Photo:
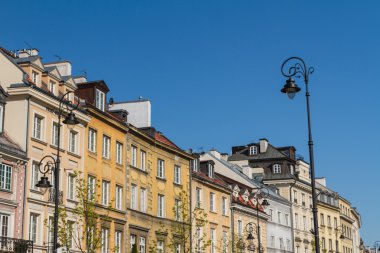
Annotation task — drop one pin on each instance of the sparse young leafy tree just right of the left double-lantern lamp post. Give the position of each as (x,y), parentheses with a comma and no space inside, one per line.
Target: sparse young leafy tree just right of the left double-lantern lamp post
(79,228)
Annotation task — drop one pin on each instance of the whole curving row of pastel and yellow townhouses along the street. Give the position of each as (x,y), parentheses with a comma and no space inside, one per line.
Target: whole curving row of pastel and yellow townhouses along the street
(139,176)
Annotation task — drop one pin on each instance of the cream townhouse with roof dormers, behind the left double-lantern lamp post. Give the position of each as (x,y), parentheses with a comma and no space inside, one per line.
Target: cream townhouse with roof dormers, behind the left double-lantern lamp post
(34,96)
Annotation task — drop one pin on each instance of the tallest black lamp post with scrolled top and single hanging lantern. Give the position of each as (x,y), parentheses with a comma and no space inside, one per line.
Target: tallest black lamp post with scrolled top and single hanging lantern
(298,68)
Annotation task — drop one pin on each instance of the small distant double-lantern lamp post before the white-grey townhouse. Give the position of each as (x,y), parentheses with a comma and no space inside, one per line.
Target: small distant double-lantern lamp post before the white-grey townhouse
(262,193)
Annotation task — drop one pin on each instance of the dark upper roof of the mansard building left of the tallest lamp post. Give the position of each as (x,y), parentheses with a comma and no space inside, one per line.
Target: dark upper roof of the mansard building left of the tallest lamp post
(271,153)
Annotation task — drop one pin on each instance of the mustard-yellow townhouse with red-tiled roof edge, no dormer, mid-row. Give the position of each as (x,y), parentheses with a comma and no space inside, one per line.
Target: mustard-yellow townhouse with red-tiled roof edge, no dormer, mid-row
(158,171)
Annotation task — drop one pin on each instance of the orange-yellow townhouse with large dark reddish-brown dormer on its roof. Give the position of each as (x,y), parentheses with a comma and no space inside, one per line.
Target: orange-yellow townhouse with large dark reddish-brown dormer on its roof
(105,160)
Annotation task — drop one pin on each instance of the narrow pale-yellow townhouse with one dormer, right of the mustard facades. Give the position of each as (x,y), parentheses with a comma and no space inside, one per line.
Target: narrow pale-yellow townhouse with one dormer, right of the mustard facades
(212,195)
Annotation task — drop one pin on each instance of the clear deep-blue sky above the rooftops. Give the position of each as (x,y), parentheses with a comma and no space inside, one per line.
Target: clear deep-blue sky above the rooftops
(212,72)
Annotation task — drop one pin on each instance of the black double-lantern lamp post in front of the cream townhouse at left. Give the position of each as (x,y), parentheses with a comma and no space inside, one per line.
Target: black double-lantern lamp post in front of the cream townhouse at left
(53,164)
